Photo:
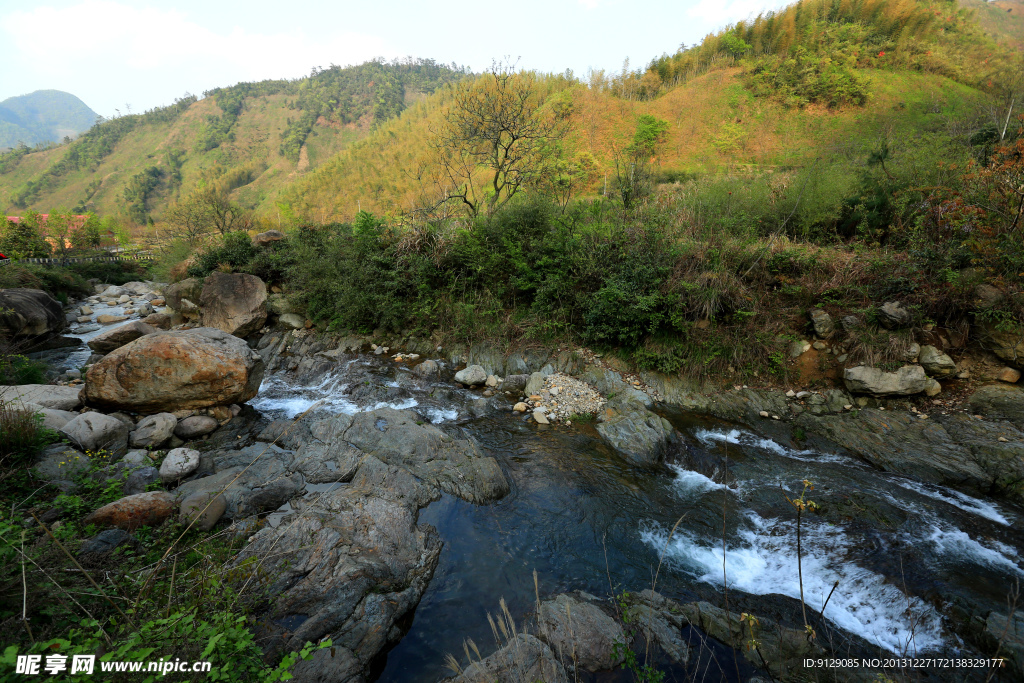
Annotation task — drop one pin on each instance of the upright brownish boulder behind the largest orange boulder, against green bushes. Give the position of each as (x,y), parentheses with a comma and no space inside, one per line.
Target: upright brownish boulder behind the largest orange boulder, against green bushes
(234,303)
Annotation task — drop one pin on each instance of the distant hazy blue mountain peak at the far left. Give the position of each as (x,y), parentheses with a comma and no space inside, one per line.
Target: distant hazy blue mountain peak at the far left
(45,116)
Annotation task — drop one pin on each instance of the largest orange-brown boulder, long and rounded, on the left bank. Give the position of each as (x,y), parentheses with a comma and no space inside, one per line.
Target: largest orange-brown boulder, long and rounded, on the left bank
(165,372)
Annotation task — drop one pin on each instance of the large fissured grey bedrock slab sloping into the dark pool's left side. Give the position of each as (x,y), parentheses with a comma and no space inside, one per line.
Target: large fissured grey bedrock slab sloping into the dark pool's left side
(368,569)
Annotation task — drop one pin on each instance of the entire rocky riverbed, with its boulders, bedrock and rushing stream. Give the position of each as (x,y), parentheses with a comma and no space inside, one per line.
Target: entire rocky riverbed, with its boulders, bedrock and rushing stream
(432,498)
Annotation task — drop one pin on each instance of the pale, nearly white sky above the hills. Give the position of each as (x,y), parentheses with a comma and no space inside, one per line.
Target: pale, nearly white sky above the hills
(132,56)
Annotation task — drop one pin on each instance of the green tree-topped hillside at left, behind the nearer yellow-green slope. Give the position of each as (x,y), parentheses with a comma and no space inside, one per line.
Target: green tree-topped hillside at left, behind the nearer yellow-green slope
(254,139)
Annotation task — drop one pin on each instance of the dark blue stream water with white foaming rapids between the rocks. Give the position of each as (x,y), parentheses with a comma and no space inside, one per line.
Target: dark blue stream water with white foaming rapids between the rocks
(901,554)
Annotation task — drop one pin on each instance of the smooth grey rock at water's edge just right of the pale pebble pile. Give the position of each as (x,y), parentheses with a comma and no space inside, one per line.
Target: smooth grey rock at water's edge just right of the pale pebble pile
(635,433)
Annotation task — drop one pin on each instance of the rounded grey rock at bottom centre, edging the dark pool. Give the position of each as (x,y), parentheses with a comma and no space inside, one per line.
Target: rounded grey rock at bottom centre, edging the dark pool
(581,629)
